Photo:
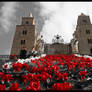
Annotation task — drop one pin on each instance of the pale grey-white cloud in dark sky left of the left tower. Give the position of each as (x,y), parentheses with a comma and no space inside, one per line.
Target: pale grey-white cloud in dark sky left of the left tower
(8,15)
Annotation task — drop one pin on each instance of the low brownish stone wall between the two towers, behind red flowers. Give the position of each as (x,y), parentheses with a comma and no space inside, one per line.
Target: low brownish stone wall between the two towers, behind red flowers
(57,48)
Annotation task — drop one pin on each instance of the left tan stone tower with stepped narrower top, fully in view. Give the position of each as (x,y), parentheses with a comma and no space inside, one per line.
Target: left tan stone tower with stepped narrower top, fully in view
(25,35)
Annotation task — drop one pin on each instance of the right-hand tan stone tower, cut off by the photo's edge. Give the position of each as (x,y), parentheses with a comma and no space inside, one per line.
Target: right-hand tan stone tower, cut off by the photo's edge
(82,37)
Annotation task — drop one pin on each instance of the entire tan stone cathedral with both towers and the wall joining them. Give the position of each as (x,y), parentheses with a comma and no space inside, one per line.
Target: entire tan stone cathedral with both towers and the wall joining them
(26,36)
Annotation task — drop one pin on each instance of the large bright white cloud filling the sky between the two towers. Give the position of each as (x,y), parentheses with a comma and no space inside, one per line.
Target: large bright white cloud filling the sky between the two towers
(61,17)
